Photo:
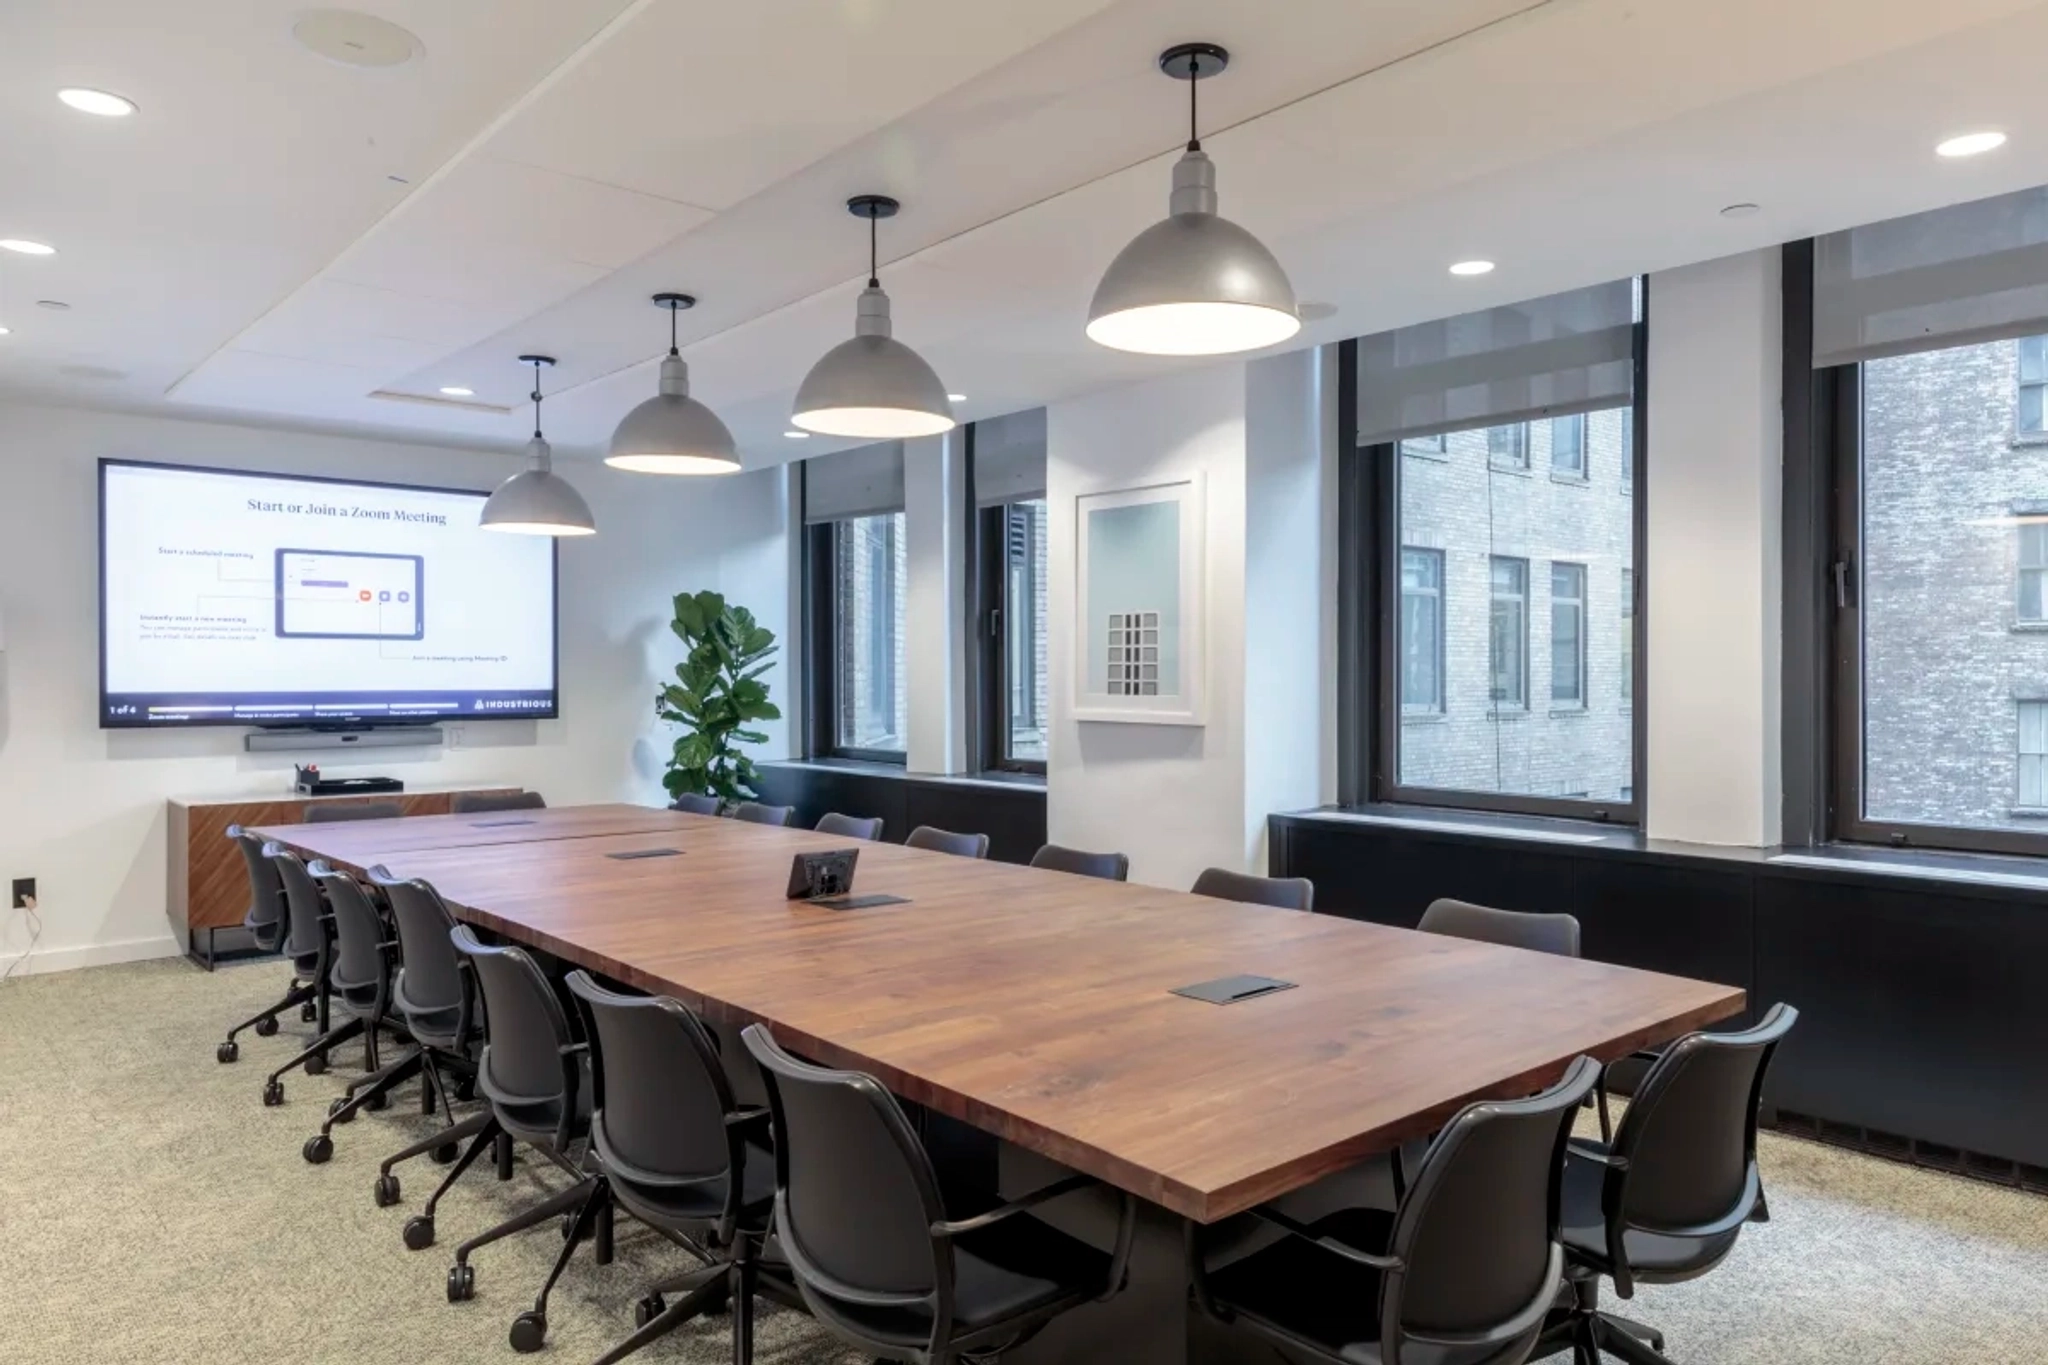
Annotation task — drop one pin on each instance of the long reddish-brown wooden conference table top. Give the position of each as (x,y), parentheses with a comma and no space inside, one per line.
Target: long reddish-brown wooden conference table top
(1037,1006)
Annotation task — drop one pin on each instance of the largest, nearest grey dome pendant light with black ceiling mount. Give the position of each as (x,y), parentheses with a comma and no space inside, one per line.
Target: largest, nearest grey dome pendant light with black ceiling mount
(1193,285)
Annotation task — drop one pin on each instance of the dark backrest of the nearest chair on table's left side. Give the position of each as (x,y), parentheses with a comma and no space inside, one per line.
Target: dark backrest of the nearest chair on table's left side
(855,1190)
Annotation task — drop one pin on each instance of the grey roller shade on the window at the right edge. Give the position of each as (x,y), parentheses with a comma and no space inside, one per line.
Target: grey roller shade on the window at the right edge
(1953,277)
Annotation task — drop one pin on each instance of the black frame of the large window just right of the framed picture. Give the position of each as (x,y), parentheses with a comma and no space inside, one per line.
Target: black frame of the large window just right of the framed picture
(1369,613)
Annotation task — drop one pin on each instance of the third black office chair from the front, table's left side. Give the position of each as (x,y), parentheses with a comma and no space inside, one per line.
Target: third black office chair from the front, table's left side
(534,1077)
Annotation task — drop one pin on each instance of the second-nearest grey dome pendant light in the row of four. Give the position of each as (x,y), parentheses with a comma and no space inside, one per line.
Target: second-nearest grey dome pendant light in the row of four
(873,386)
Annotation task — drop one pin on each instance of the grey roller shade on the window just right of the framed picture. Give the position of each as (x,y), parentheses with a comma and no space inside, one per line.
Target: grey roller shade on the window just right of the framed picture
(1541,359)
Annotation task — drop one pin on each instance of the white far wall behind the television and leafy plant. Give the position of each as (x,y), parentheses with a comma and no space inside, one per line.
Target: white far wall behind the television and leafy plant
(83,809)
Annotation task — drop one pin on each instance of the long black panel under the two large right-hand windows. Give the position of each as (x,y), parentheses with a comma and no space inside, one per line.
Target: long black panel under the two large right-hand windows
(1922,1006)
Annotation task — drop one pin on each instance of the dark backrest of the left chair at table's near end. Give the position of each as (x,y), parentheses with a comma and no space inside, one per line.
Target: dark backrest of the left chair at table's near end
(1478,1233)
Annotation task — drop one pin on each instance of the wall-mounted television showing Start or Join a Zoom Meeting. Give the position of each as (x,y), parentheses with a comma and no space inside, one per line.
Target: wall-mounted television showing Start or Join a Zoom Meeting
(241,599)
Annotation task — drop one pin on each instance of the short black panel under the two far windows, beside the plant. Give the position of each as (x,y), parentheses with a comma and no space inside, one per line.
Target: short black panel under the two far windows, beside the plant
(1009,813)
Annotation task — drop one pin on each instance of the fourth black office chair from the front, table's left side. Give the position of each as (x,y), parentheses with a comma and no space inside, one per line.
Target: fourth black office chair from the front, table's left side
(437,998)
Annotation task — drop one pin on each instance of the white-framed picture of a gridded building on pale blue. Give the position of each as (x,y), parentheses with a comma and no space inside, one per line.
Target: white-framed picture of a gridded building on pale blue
(1140,568)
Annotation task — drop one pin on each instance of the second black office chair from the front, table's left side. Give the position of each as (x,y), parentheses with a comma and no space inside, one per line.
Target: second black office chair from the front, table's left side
(683,1157)
